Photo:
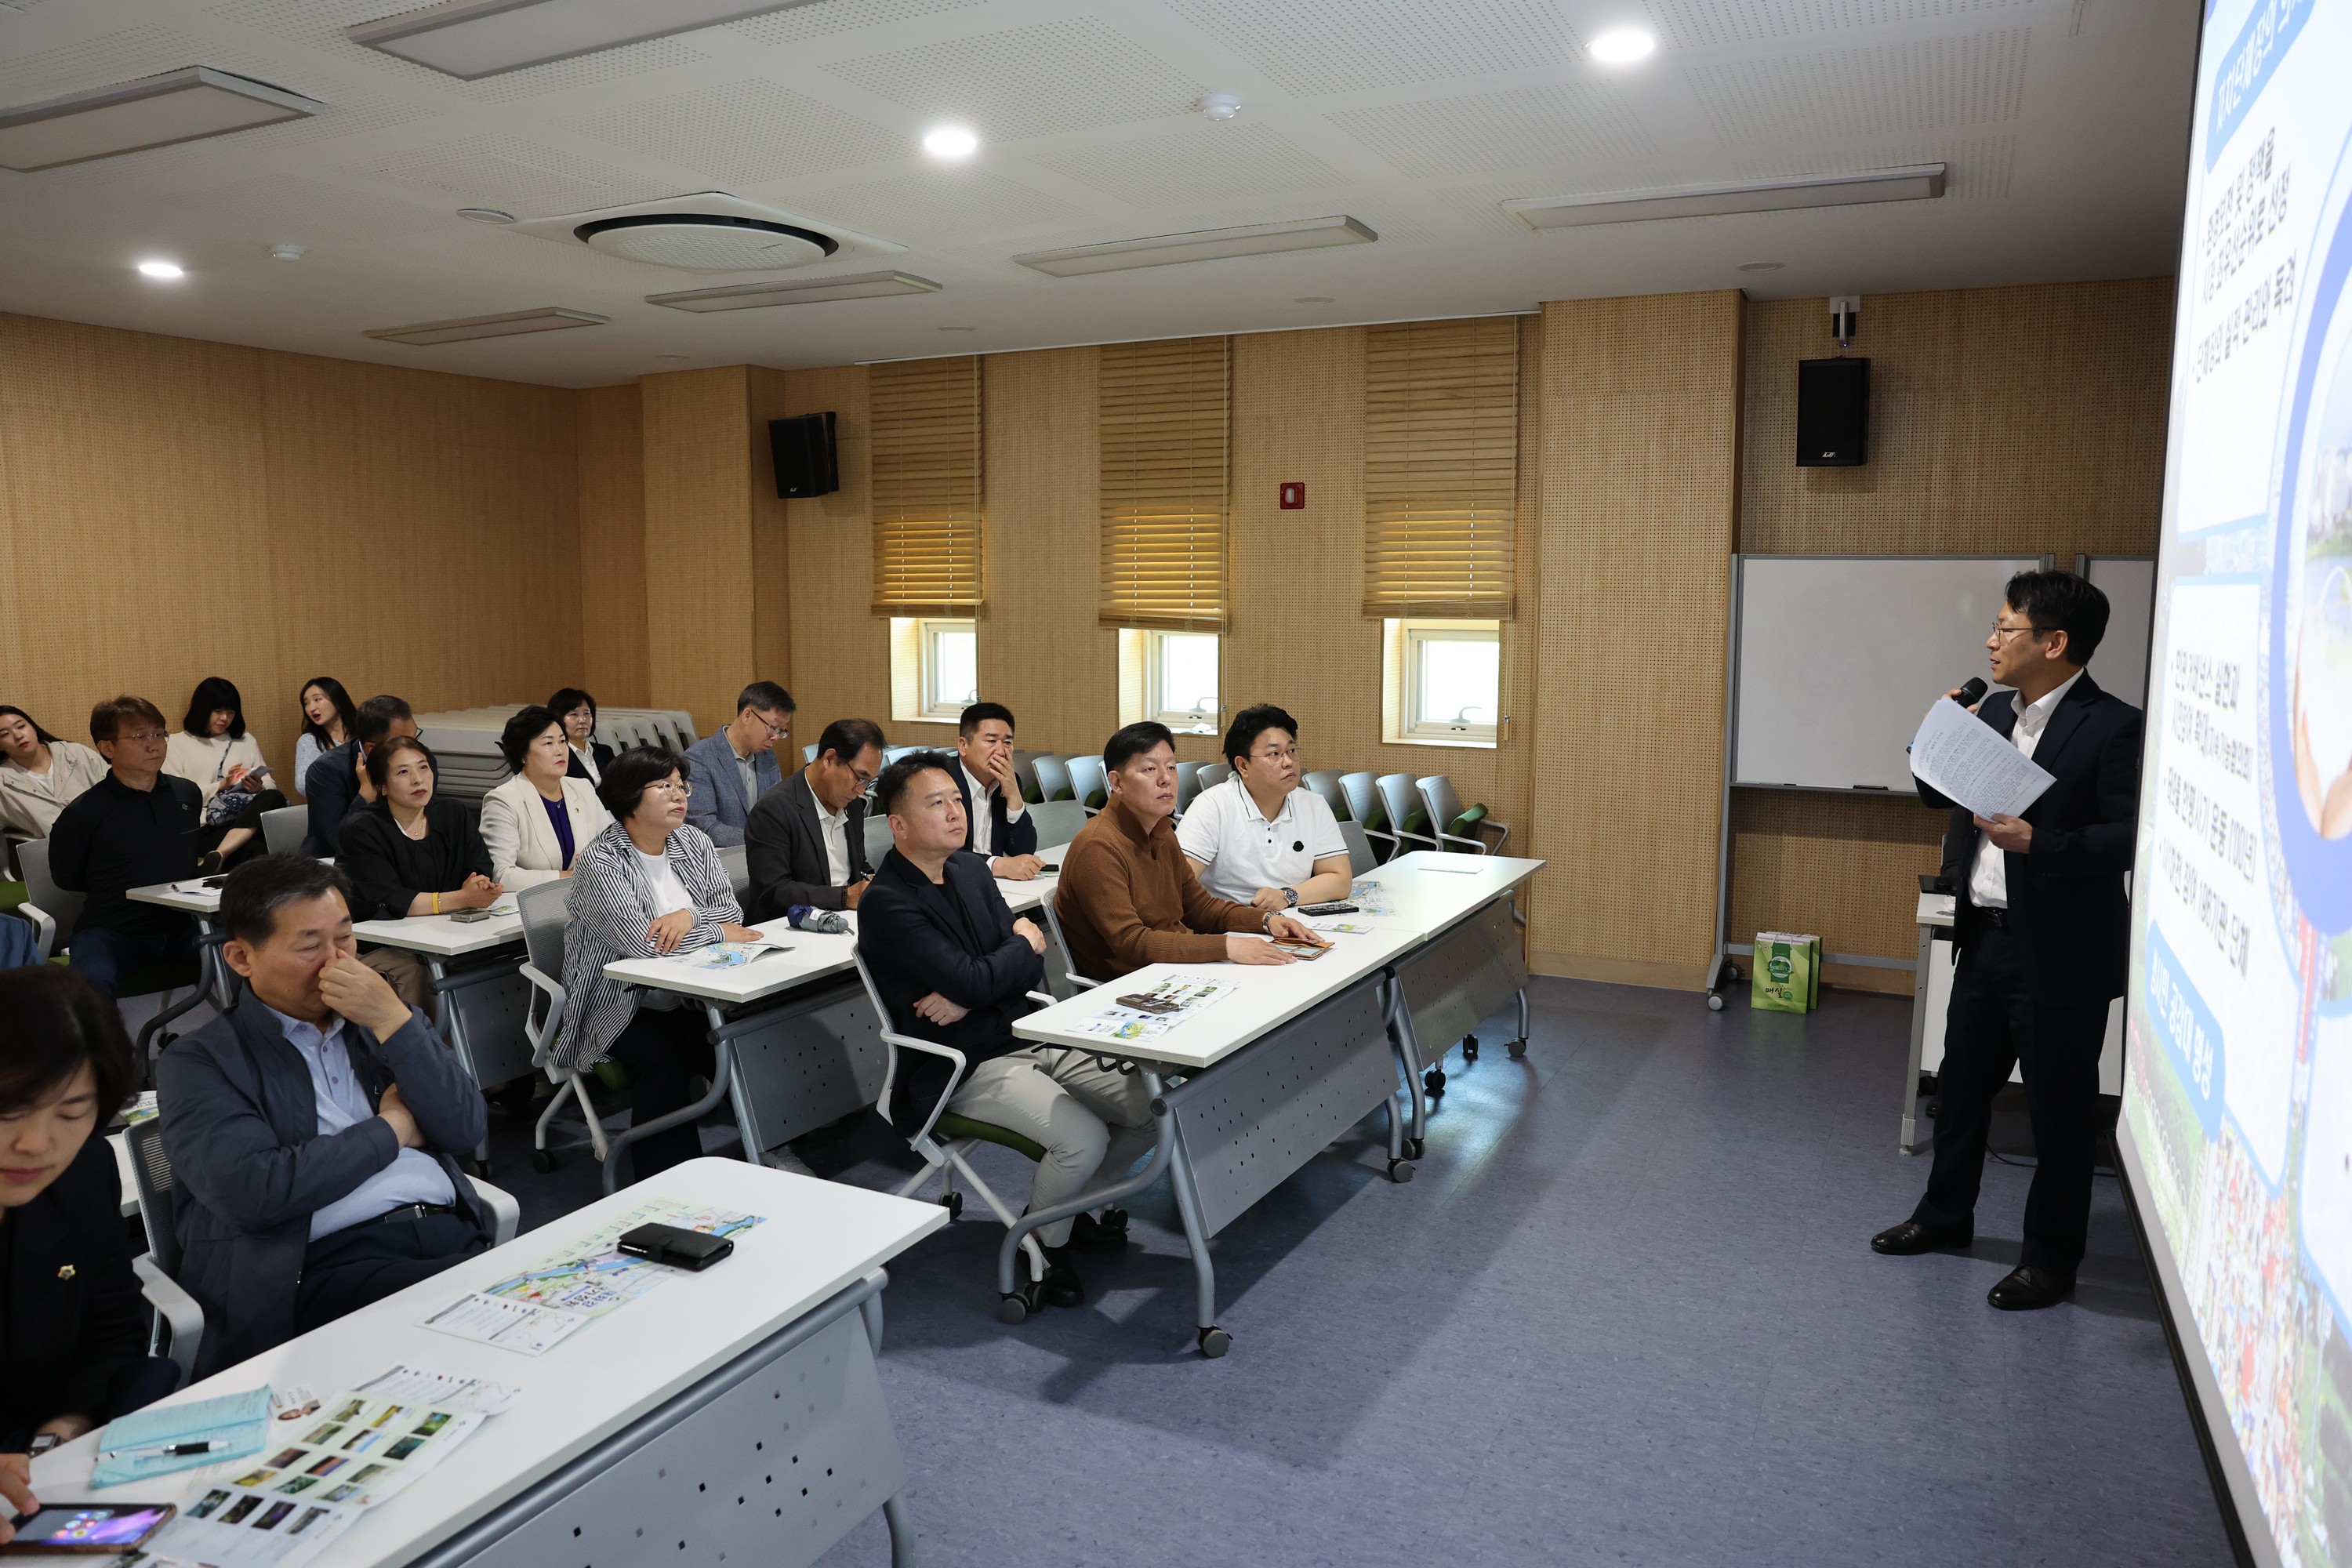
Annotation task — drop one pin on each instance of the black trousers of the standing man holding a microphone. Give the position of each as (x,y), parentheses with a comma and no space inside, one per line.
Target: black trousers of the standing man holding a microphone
(1991,1028)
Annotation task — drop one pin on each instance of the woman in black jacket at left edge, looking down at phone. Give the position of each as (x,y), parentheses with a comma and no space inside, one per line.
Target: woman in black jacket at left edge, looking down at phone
(72,1322)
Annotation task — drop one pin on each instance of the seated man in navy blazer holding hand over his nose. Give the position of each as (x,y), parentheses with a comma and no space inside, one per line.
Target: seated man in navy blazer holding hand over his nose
(314,1130)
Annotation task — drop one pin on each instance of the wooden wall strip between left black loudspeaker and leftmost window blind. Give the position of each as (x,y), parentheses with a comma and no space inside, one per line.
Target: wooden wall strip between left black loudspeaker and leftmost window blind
(841,650)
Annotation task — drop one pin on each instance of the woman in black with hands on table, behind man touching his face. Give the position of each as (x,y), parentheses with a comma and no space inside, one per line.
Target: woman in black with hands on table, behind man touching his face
(413,855)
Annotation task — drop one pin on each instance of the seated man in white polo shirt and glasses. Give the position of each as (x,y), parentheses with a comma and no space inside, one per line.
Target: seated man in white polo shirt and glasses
(1259,838)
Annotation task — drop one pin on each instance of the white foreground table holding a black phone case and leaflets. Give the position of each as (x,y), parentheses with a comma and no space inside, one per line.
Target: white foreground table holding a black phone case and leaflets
(726,1414)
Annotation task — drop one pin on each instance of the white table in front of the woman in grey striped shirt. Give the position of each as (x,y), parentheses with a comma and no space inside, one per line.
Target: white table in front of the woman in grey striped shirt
(791,1052)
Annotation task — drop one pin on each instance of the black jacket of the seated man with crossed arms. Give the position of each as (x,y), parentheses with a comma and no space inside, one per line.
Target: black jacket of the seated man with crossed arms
(980,963)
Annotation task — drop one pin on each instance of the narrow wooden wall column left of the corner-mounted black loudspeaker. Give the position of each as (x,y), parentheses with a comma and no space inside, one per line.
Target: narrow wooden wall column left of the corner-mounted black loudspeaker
(700,603)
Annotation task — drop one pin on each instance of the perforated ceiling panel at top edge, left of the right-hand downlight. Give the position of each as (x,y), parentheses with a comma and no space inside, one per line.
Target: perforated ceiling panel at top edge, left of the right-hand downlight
(1314,48)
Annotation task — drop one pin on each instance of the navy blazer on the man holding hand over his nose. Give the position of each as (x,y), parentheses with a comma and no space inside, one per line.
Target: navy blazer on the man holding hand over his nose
(241,1127)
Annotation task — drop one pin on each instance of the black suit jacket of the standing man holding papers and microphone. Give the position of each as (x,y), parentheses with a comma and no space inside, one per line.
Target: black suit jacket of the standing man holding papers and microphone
(2066,894)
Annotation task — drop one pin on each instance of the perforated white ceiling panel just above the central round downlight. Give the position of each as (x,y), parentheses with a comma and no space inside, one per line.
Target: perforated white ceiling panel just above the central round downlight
(1057,76)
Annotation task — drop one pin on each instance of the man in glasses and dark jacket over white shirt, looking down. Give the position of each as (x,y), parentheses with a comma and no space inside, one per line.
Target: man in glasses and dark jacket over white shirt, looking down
(808,838)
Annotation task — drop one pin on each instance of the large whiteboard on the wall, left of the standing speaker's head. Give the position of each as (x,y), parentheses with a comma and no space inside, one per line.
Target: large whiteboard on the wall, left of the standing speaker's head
(1836,657)
